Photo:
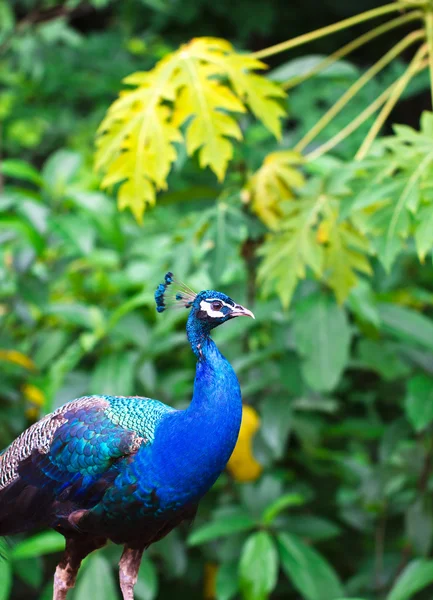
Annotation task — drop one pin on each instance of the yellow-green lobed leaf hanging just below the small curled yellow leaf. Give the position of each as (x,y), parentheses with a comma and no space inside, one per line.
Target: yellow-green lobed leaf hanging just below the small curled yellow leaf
(311,235)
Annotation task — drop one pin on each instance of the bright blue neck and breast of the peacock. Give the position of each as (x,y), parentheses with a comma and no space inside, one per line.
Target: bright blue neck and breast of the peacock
(190,448)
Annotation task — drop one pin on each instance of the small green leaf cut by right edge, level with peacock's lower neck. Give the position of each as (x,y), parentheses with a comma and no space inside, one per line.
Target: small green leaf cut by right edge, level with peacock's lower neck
(419,401)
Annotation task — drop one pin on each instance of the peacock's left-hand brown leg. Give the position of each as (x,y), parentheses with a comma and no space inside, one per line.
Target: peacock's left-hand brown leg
(67,569)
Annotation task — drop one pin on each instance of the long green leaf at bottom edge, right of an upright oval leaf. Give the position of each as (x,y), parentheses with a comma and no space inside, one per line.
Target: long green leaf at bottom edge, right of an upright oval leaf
(309,572)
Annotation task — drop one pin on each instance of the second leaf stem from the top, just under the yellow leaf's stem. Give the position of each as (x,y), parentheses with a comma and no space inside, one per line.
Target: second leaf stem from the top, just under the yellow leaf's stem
(353,45)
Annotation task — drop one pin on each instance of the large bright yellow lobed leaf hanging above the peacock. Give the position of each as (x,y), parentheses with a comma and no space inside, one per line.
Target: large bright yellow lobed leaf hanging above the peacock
(197,90)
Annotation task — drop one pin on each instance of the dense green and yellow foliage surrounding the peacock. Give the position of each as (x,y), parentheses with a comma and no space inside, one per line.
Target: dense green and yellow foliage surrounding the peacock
(296,209)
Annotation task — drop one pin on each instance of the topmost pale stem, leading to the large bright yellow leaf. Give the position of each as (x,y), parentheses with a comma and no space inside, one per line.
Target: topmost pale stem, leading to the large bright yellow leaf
(329,29)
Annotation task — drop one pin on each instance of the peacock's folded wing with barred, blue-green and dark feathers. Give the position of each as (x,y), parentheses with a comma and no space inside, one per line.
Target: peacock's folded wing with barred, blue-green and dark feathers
(62,463)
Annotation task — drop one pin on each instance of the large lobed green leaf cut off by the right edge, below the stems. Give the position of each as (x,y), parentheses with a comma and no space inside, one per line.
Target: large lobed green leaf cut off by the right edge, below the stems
(395,200)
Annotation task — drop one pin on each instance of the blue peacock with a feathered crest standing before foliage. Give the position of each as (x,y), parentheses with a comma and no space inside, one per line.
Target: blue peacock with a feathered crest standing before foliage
(127,468)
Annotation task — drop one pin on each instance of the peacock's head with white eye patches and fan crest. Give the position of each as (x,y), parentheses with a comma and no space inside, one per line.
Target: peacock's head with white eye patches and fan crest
(209,308)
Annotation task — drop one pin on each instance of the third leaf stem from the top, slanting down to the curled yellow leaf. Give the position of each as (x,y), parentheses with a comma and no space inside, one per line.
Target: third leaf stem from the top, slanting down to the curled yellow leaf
(357,86)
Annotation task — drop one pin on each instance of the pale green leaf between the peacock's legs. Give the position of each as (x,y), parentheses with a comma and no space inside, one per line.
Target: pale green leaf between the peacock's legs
(96,580)
